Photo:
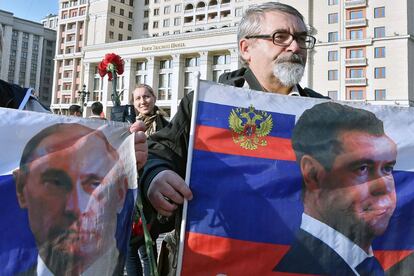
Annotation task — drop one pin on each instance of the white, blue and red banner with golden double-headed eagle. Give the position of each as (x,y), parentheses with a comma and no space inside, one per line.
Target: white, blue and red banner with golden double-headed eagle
(279,190)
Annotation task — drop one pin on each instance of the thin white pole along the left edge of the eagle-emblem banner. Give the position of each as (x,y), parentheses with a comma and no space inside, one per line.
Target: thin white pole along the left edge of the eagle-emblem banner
(196,85)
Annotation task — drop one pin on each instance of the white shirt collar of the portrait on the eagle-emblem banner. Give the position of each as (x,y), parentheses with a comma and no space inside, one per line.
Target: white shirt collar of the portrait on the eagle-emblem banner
(351,253)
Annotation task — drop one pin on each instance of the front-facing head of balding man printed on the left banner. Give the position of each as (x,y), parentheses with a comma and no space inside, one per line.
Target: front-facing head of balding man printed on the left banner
(73,185)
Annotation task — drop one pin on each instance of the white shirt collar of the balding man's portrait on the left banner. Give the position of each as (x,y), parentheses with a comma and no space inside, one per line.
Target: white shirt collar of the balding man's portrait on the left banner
(99,267)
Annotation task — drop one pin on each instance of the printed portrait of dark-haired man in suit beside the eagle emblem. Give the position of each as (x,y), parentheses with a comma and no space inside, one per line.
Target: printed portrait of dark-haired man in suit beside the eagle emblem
(346,161)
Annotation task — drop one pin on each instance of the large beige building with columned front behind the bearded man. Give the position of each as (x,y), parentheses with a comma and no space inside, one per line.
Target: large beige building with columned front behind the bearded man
(363,47)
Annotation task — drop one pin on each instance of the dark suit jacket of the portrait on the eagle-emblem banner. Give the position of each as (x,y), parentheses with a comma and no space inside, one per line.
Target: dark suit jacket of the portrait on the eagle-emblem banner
(309,255)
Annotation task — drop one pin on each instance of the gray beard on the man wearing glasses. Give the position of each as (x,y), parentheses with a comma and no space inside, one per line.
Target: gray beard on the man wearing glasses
(288,73)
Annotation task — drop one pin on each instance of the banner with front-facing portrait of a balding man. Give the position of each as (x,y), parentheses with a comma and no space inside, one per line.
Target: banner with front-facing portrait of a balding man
(68,187)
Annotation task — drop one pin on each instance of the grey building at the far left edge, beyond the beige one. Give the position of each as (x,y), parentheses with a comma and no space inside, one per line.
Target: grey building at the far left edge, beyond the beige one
(27,56)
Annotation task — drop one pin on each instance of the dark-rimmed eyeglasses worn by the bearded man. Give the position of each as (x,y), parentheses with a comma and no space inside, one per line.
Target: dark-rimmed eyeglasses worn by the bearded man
(279,38)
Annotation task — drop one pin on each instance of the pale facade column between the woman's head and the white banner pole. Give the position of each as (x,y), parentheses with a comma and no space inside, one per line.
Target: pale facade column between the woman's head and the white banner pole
(177,84)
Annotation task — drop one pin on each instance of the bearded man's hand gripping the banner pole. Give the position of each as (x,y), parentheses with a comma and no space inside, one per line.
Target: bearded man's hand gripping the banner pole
(166,190)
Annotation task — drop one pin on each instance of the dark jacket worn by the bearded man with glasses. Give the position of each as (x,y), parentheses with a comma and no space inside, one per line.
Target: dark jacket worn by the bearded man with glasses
(168,147)
